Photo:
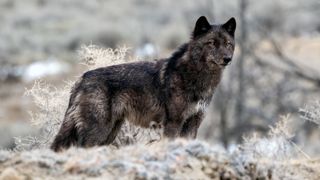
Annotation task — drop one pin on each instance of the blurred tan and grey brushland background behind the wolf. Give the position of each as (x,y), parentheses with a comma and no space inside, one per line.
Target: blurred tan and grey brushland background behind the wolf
(275,70)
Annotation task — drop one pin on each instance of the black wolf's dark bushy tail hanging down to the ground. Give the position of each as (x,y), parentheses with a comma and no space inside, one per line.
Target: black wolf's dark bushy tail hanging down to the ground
(66,136)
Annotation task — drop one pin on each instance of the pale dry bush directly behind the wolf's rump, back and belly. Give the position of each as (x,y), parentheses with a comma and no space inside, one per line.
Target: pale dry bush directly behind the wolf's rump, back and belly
(51,103)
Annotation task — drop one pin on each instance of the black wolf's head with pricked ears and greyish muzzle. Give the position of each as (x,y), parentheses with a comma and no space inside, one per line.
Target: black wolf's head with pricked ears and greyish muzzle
(213,44)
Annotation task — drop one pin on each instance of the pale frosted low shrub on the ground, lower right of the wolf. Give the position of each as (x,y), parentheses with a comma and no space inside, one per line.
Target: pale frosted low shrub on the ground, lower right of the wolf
(271,155)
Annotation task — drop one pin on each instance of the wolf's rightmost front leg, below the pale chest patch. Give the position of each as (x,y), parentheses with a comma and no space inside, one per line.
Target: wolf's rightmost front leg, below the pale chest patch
(191,125)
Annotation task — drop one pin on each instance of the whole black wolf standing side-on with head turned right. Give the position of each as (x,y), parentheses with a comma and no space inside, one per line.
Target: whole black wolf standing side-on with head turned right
(171,92)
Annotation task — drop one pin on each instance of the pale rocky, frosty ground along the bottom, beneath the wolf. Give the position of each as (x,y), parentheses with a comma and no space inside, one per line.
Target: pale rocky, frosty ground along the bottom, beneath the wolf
(178,159)
